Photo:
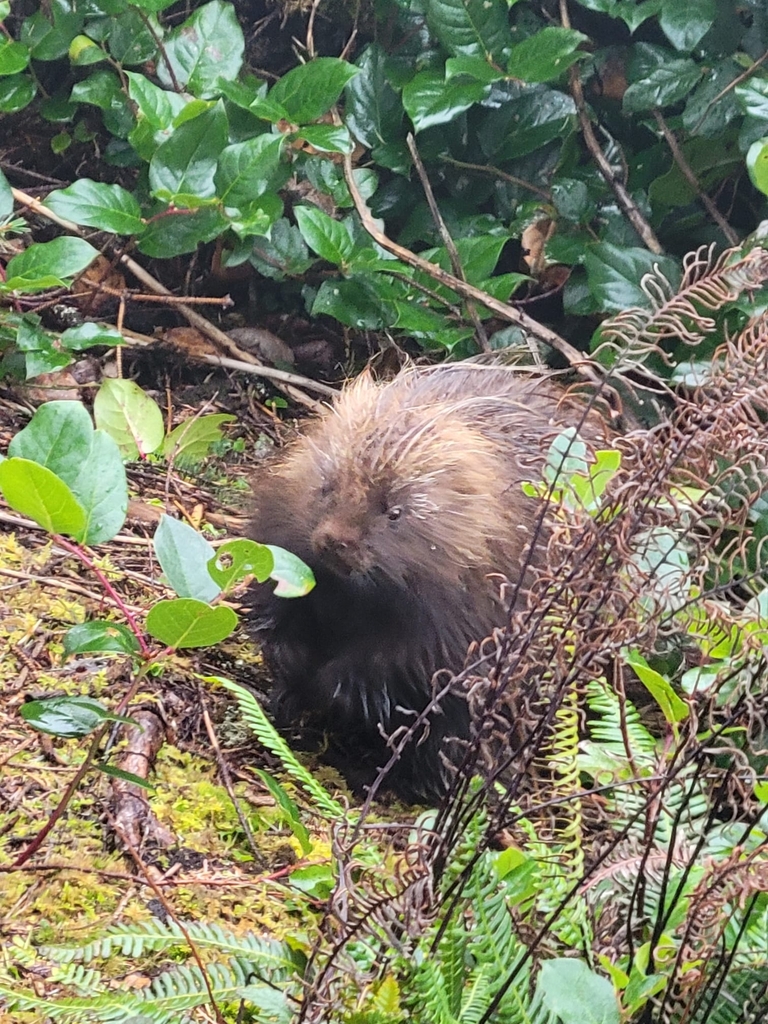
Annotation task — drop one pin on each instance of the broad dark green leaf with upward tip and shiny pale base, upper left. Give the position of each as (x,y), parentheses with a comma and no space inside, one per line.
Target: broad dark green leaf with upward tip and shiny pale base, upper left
(186,164)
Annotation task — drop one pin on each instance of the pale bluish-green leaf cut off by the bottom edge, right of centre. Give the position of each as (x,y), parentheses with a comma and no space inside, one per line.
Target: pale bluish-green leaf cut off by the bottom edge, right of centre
(575,995)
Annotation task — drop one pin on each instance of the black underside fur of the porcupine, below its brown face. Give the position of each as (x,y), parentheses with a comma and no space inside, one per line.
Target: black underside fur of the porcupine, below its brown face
(355,664)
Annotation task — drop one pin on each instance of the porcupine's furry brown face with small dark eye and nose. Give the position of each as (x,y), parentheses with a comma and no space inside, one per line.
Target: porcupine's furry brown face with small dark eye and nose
(404,508)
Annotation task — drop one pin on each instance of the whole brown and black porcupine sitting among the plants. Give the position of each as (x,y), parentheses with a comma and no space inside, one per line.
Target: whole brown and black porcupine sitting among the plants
(406,500)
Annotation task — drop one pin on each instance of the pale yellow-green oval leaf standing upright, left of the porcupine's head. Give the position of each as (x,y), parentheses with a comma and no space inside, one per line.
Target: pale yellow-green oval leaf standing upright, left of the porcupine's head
(131,417)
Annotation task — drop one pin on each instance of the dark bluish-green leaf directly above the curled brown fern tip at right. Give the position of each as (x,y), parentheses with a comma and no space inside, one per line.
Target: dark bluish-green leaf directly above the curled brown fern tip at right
(615,275)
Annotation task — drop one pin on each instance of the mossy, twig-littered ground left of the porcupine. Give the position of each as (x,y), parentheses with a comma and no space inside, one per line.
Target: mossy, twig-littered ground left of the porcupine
(207,841)
